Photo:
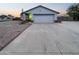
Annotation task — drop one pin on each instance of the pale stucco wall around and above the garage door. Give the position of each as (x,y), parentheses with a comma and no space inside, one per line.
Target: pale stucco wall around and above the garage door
(41,10)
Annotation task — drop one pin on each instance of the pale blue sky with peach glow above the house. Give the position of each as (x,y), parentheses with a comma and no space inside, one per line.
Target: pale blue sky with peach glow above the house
(16,8)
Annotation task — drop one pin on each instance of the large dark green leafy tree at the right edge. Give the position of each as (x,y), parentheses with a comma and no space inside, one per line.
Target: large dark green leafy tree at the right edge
(73,11)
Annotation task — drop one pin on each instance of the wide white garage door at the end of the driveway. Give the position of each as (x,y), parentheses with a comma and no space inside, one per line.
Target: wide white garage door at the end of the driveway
(43,18)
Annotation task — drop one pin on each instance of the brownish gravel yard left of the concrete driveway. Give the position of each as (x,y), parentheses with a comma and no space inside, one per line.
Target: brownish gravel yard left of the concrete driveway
(10,30)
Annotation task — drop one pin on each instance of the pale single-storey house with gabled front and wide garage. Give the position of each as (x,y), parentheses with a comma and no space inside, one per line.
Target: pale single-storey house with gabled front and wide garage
(41,14)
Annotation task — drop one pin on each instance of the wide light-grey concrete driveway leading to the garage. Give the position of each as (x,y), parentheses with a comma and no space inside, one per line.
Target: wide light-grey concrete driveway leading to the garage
(61,38)
